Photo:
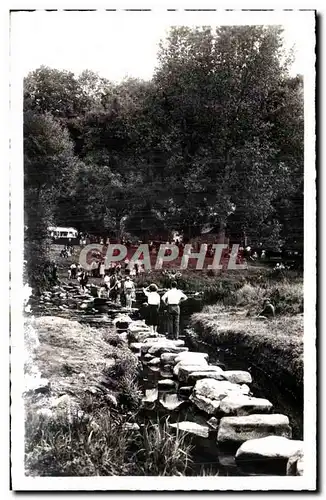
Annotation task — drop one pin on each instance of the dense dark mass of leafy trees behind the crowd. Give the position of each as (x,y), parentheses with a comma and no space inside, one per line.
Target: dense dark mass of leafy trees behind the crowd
(216,137)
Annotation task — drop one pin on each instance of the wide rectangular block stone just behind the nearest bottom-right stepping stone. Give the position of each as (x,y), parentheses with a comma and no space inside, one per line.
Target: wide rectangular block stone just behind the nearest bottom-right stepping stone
(236,430)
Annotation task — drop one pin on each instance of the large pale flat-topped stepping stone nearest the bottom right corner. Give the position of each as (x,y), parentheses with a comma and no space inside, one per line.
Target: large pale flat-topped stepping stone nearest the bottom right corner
(271,447)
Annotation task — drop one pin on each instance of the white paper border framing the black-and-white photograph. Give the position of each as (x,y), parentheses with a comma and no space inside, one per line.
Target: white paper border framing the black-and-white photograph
(307,482)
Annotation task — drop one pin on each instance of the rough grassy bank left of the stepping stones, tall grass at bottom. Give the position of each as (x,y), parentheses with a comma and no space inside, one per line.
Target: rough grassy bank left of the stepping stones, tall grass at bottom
(86,423)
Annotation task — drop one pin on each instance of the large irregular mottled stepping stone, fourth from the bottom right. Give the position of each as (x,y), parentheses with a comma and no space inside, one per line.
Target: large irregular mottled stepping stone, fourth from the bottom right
(208,393)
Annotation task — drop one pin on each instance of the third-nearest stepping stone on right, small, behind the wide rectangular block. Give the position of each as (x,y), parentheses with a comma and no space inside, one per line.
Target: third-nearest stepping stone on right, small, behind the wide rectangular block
(236,404)
